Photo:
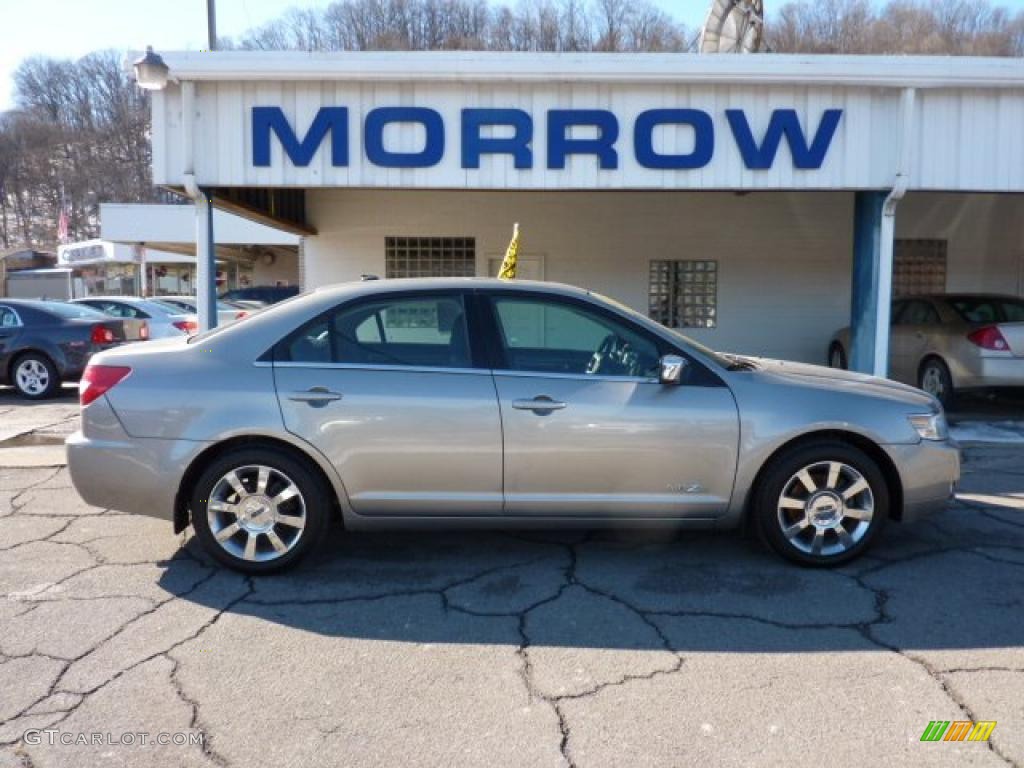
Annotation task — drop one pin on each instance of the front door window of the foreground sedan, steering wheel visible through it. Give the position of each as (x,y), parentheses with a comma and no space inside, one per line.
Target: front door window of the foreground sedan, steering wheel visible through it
(547,335)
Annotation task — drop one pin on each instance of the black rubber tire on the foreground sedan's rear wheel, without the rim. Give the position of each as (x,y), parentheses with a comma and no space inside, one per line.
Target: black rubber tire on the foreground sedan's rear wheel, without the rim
(314,494)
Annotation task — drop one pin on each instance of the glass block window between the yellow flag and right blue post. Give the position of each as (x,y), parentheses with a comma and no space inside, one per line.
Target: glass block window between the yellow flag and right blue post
(685,293)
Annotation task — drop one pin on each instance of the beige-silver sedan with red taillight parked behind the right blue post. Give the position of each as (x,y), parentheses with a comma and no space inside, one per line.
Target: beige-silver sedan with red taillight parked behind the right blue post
(949,344)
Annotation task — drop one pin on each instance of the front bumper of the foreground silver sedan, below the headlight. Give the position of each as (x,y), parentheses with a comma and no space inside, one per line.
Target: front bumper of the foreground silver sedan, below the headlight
(929,473)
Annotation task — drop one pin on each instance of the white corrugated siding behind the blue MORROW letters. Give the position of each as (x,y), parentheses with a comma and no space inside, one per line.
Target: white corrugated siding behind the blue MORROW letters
(966,139)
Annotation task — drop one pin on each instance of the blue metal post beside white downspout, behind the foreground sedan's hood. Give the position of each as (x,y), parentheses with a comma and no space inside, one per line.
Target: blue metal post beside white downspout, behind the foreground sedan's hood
(867,255)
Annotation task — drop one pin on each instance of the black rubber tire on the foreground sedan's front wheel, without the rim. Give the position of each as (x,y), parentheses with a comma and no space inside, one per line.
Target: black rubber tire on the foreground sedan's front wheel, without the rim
(782,473)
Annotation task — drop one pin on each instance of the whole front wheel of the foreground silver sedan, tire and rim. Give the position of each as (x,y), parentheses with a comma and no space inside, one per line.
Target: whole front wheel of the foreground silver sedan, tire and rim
(822,504)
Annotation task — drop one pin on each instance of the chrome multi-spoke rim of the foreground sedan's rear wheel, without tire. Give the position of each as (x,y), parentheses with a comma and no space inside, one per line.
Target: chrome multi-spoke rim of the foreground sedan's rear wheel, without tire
(257,514)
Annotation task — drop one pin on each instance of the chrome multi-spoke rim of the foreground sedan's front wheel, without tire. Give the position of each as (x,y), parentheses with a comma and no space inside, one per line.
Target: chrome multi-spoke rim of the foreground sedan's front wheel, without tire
(826,508)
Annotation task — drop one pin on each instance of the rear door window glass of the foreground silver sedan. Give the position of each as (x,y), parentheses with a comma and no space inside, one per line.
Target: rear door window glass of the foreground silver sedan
(417,331)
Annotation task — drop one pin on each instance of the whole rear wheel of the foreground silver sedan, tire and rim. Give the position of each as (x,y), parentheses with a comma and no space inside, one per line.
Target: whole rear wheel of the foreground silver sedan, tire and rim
(259,510)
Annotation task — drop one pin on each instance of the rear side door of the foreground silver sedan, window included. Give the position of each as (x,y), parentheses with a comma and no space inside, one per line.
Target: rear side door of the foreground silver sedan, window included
(389,390)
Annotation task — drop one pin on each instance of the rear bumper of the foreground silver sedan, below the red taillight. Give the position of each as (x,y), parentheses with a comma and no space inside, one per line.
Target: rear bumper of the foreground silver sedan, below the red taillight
(113,471)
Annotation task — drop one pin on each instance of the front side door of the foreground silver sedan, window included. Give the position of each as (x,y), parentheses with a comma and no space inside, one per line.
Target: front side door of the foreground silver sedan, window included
(588,429)
